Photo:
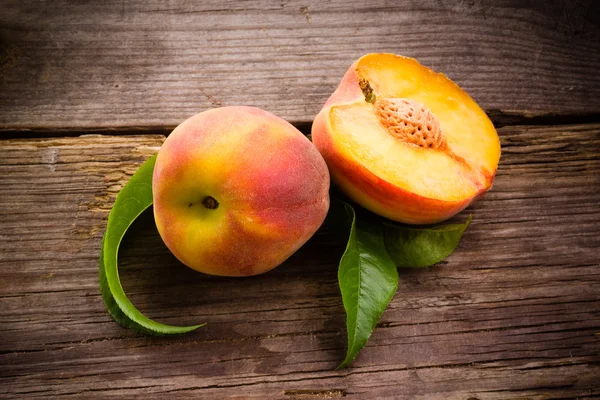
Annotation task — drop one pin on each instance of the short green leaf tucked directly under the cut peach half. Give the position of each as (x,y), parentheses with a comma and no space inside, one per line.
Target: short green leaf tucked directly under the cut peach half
(422,247)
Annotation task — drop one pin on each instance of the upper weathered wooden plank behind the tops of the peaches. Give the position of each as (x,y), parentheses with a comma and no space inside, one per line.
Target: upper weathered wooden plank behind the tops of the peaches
(144,64)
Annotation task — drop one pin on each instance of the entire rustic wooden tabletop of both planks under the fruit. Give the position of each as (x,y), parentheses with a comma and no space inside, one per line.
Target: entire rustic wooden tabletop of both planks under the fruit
(88,91)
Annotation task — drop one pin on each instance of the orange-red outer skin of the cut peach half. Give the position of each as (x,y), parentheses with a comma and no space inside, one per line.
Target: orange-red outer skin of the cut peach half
(365,188)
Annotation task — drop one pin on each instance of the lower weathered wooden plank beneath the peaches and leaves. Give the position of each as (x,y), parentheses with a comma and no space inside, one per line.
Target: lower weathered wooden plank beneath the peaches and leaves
(513,313)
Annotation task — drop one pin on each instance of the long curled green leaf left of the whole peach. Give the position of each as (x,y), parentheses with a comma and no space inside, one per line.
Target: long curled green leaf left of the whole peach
(132,200)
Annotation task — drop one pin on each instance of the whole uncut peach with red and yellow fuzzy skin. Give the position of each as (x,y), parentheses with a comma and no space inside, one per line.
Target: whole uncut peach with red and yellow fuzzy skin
(237,191)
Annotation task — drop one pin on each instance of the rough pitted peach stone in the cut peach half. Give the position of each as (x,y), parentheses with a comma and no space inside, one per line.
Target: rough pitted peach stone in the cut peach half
(410,122)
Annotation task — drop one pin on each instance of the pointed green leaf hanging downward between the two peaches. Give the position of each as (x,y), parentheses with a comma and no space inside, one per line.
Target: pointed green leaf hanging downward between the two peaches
(368,279)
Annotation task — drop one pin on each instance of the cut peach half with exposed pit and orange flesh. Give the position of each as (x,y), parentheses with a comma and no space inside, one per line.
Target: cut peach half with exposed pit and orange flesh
(406,142)
